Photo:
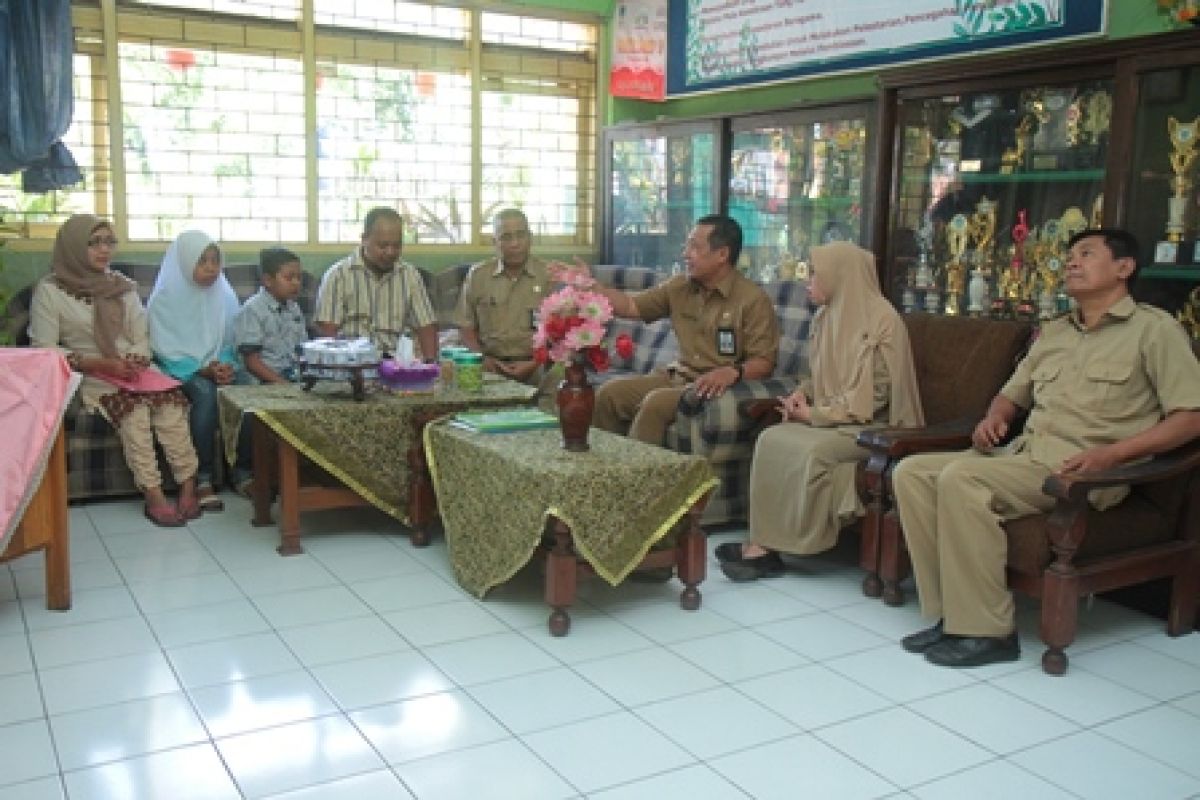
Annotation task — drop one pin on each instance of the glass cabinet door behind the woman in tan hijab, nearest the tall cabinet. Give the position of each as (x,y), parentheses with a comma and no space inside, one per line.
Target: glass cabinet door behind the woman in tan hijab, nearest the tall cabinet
(797,181)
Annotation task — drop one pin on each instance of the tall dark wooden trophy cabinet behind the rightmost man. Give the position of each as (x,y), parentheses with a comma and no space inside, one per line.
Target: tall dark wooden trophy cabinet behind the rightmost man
(994,163)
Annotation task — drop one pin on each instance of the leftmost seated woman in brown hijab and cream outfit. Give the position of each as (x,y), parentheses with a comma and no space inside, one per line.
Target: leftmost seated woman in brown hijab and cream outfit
(95,317)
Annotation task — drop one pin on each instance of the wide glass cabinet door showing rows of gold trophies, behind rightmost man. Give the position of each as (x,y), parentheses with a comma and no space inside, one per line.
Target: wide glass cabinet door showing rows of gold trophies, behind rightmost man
(989,188)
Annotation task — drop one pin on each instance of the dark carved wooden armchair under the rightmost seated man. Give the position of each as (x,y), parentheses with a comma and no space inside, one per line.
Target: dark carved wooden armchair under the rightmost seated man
(1075,550)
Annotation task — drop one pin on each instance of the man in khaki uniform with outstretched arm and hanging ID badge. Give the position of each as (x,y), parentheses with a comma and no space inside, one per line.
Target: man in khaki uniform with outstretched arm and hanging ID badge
(725,326)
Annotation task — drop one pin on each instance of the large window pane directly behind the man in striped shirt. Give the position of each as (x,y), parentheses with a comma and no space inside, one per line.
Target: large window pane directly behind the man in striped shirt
(397,137)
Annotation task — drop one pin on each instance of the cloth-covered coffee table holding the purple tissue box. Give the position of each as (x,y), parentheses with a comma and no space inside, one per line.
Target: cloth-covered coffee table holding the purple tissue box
(362,447)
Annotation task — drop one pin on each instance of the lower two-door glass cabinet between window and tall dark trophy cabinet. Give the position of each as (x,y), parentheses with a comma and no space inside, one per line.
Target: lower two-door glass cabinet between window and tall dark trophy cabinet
(793,179)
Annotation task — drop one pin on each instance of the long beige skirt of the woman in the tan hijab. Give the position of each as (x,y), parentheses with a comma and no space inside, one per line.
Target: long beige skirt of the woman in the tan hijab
(802,488)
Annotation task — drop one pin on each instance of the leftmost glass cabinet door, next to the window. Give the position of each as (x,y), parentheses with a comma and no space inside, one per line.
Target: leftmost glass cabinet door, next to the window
(661,181)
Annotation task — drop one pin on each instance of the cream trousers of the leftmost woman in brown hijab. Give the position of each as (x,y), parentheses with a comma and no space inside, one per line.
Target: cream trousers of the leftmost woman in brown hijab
(137,432)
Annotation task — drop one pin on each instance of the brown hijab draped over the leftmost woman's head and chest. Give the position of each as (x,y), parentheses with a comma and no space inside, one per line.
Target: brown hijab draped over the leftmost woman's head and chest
(106,290)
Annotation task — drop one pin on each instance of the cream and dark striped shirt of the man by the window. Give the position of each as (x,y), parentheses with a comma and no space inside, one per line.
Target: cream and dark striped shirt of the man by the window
(364,304)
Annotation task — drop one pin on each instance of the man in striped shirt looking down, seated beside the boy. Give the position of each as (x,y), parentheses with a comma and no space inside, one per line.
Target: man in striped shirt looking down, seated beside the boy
(374,294)
